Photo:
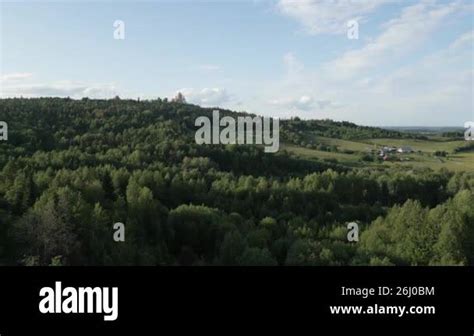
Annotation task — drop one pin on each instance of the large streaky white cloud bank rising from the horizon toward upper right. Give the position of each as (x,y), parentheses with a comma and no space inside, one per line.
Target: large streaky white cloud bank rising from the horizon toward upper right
(385,82)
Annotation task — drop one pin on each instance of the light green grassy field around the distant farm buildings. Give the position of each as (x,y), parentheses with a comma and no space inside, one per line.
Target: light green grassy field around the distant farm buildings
(421,157)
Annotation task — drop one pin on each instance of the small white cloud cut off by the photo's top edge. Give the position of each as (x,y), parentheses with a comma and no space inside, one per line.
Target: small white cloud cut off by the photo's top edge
(327,16)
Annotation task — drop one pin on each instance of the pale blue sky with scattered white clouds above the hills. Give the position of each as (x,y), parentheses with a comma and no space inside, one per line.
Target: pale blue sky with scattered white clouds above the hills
(411,65)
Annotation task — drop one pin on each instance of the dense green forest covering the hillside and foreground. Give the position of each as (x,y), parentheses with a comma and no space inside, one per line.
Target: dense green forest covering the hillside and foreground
(72,168)
